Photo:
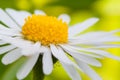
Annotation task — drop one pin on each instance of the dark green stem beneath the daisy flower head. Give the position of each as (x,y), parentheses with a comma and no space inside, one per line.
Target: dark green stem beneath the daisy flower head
(37,70)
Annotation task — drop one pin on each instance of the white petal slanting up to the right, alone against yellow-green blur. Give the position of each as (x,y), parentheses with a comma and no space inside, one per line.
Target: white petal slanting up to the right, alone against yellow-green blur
(78,28)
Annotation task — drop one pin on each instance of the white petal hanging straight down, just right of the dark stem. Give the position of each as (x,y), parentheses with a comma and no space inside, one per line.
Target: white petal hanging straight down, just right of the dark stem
(47,62)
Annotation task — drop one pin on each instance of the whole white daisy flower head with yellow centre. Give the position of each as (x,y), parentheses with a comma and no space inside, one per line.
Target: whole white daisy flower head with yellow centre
(38,34)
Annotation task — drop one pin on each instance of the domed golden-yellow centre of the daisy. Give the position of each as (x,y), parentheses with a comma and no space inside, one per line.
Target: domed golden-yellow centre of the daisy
(46,29)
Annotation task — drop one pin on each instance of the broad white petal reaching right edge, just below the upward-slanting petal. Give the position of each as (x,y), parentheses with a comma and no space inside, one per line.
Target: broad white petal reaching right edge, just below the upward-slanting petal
(99,37)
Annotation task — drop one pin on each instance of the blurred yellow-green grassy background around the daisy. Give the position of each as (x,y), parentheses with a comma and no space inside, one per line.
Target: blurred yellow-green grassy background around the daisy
(107,10)
